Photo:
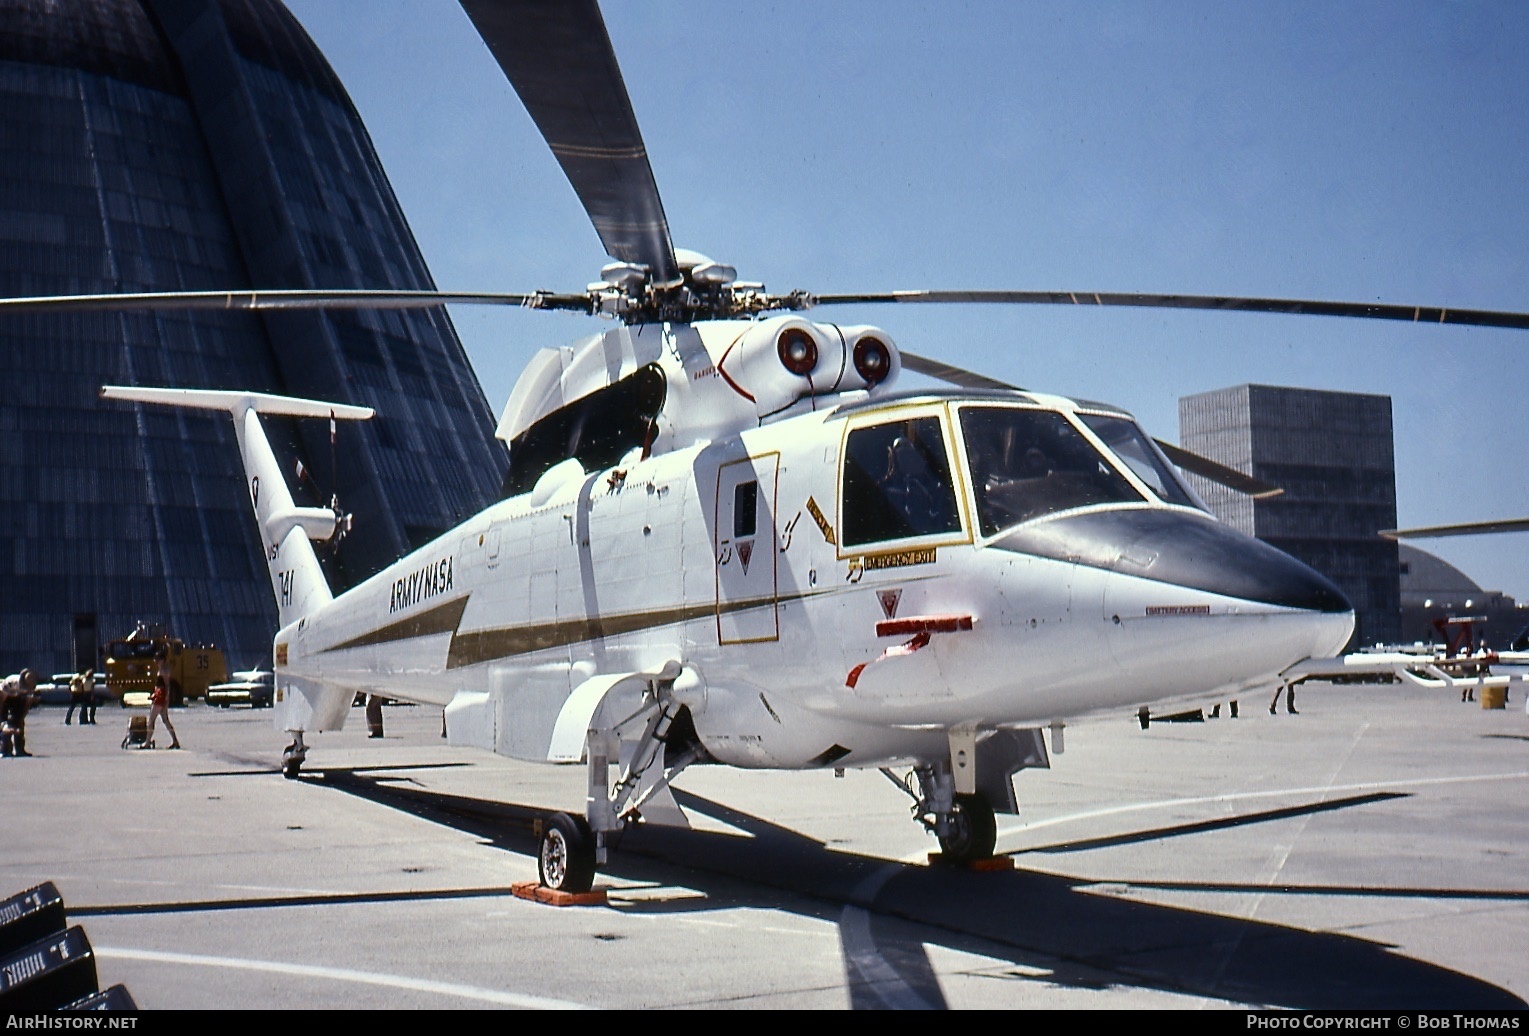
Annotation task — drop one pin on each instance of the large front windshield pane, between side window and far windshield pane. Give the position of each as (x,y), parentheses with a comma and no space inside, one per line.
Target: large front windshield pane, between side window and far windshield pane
(1027,464)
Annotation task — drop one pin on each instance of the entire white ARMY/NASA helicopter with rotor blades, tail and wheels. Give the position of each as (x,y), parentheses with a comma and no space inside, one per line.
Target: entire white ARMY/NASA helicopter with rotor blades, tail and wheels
(729,540)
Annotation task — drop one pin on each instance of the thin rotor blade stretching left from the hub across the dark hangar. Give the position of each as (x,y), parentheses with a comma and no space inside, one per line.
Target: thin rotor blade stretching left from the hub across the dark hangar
(308,299)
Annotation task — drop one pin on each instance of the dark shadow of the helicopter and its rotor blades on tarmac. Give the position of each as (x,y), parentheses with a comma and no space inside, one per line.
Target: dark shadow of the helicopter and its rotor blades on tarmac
(1051,928)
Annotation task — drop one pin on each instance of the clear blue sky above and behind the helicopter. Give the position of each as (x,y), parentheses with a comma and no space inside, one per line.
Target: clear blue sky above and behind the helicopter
(1307,151)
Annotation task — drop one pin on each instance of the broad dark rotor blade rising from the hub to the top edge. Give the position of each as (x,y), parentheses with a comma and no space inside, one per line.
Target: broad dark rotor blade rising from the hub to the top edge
(559,57)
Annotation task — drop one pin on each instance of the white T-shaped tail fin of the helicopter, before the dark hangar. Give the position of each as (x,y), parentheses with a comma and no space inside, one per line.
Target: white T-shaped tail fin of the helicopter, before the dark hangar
(287,529)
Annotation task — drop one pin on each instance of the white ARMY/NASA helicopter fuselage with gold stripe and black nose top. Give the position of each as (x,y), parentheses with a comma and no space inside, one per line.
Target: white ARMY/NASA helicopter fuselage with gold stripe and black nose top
(846,586)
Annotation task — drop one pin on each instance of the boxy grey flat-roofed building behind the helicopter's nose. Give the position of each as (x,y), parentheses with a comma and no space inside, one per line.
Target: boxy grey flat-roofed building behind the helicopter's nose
(1333,456)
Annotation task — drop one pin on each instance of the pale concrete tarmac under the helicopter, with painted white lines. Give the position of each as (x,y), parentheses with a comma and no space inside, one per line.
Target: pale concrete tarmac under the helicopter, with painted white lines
(1368,855)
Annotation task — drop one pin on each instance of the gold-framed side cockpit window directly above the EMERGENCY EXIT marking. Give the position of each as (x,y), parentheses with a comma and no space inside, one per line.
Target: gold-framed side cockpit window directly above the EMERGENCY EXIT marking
(898,484)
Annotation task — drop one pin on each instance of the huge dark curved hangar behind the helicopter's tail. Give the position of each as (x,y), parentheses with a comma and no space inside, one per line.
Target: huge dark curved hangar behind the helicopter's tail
(181,146)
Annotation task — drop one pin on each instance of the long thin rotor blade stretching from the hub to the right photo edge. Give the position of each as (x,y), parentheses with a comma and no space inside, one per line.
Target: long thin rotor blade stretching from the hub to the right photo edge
(1313,308)
